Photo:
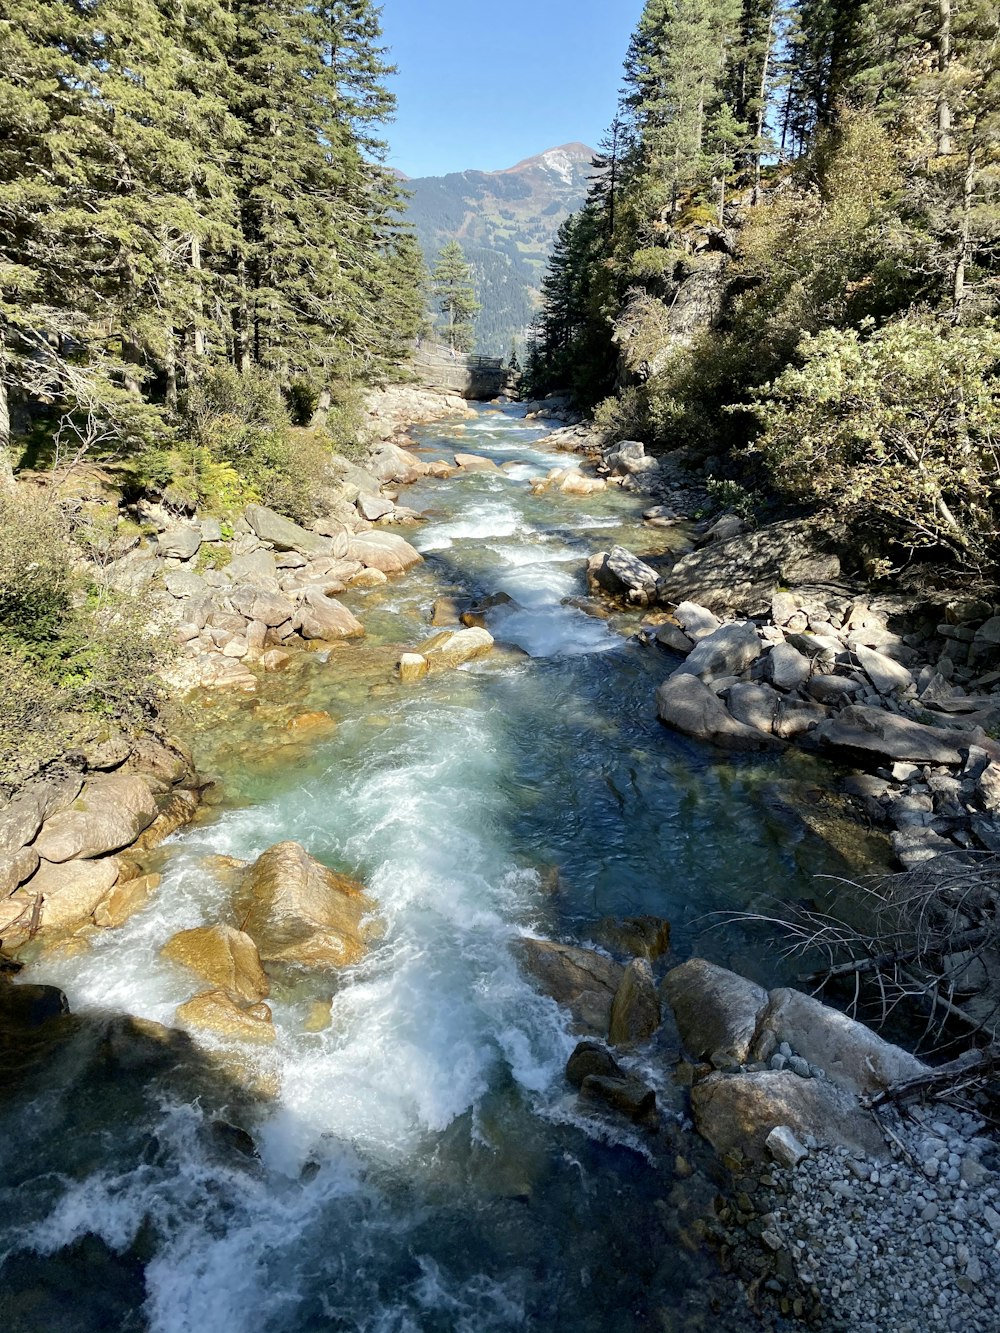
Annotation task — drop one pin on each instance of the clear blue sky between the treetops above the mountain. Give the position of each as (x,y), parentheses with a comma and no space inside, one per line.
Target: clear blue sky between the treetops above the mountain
(485,86)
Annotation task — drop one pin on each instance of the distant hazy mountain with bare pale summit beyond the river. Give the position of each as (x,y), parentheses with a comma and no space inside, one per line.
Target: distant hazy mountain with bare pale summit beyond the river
(506,222)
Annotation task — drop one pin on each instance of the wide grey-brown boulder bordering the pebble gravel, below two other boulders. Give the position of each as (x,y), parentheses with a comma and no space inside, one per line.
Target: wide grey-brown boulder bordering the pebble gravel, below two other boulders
(737,1114)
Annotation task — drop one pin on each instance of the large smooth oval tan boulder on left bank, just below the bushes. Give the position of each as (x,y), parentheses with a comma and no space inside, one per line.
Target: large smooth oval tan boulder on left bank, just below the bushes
(110,814)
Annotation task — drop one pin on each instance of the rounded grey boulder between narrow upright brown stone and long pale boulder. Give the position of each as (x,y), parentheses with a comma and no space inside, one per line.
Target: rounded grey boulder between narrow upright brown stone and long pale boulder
(717,1011)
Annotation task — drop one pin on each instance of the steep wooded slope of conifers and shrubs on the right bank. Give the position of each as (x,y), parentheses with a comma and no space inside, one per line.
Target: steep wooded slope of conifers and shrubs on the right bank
(791,262)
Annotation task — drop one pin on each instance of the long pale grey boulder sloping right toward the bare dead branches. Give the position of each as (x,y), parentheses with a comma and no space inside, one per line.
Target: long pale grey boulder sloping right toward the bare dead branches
(853,1056)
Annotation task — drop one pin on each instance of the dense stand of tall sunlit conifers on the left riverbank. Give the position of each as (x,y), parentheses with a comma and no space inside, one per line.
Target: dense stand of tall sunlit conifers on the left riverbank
(190,189)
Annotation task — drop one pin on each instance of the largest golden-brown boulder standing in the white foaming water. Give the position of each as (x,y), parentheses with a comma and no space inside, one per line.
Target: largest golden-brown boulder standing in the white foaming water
(298,911)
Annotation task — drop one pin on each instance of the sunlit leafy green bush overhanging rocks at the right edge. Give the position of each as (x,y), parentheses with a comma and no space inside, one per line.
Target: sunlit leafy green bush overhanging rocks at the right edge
(898,431)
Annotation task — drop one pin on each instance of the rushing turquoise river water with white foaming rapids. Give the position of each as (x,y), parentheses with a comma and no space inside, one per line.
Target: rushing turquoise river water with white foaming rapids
(423,1168)
